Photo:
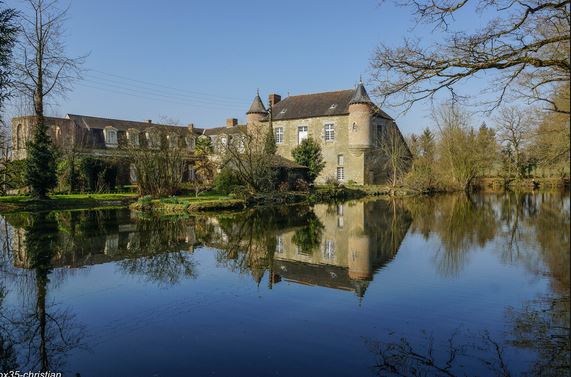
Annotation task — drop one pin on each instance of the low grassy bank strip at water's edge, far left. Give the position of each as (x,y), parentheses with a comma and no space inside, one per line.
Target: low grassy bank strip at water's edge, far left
(71,201)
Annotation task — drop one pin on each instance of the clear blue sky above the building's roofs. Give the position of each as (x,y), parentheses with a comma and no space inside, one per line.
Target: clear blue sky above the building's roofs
(202,61)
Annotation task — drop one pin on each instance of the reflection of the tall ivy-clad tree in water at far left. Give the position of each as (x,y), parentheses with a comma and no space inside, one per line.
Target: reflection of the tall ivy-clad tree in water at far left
(44,333)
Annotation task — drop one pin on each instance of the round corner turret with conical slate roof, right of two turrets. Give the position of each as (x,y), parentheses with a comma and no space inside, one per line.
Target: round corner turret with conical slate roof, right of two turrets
(360,115)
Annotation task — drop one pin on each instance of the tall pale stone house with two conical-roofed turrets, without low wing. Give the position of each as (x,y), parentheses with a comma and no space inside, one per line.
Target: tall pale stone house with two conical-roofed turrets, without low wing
(350,128)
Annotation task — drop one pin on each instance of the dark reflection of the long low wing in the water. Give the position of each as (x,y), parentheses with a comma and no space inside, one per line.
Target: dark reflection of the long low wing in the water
(89,238)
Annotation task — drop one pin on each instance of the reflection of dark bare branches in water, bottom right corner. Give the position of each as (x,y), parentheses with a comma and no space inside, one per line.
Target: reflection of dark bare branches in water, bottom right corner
(539,326)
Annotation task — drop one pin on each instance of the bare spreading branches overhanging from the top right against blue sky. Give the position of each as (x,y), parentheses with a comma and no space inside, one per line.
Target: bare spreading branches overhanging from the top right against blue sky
(526,44)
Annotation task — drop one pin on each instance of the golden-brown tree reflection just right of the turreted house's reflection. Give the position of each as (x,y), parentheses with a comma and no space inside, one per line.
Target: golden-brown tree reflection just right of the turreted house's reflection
(460,222)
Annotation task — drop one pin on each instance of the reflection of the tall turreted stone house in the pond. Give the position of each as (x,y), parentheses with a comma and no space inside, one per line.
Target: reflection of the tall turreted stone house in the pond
(356,240)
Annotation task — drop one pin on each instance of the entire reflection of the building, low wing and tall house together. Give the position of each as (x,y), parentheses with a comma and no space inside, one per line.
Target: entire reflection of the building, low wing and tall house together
(337,246)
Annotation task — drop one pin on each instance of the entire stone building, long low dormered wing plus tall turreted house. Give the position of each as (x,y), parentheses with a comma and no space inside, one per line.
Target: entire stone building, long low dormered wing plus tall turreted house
(350,128)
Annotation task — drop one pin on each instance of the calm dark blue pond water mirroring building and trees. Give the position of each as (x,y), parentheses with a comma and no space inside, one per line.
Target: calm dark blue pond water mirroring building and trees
(442,286)
